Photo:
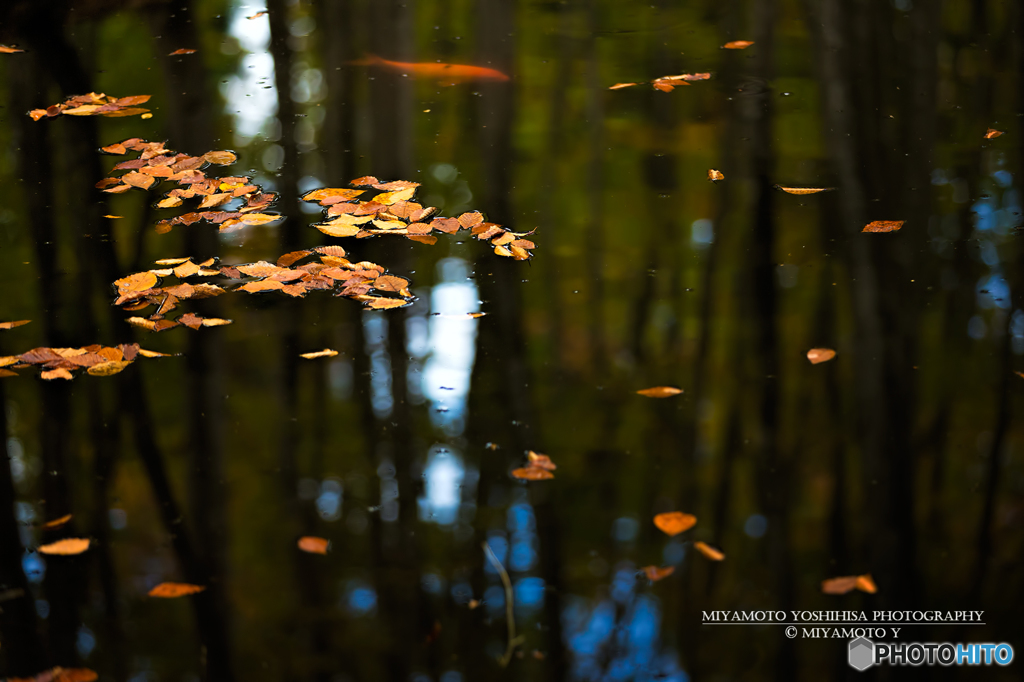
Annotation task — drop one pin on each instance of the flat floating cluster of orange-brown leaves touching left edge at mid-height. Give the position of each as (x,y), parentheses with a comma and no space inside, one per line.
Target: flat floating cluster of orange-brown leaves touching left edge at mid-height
(63,363)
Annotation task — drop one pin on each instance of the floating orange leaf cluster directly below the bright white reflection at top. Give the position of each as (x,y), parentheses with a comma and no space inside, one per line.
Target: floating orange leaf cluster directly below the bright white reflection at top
(155,163)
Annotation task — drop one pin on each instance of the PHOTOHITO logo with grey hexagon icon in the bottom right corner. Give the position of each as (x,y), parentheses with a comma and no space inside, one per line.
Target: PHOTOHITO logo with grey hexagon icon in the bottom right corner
(863,654)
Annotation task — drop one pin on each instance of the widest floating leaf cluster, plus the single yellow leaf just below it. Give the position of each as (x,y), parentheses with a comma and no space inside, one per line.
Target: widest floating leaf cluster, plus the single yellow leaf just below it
(365,282)
